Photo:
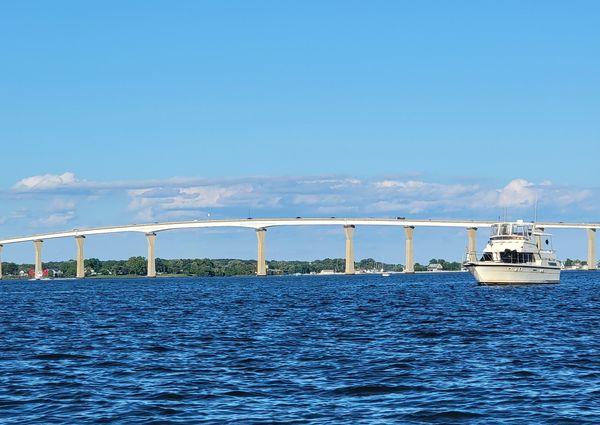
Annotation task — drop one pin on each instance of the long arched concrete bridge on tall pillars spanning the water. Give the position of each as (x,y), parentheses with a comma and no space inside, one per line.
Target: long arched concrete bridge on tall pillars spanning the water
(261,225)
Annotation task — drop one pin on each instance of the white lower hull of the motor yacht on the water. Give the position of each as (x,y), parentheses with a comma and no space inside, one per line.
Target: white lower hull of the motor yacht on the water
(514,274)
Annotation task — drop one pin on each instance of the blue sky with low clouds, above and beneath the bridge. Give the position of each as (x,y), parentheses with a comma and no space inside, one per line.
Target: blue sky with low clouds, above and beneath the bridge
(120,112)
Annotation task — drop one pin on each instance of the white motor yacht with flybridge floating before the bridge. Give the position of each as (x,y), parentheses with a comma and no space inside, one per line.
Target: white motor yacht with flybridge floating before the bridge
(516,253)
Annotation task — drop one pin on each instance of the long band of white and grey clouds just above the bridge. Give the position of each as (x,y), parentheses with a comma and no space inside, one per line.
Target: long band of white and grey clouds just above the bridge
(180,198)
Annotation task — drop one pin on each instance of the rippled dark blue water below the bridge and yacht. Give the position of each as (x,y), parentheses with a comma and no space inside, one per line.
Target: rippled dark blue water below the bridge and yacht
(364,349)
